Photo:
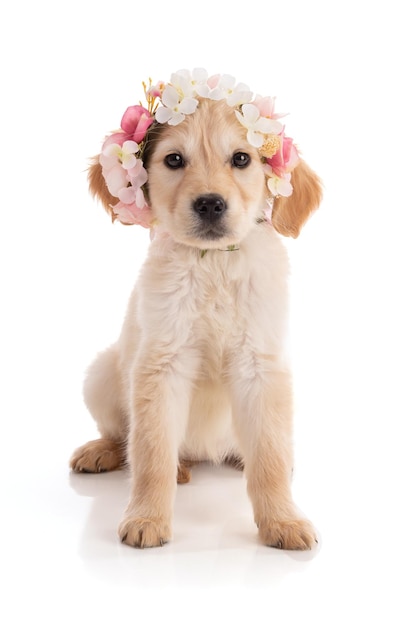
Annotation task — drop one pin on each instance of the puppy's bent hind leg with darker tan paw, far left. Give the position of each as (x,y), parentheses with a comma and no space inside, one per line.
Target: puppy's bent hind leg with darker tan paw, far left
(103,397)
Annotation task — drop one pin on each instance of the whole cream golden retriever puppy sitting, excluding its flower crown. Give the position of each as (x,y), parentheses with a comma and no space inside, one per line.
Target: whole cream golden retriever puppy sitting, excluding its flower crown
(200,369)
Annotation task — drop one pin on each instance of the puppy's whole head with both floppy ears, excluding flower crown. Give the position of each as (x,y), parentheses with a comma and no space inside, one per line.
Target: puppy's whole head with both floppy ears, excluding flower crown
(206,185)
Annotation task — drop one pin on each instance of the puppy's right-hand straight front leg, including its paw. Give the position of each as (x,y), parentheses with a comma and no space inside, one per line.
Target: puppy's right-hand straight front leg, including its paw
(263,415)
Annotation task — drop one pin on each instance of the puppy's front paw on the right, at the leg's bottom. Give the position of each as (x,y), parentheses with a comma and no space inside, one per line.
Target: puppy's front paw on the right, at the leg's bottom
(288,535)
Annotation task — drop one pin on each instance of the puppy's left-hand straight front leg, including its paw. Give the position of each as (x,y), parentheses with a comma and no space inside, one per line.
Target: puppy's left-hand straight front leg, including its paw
(161,405)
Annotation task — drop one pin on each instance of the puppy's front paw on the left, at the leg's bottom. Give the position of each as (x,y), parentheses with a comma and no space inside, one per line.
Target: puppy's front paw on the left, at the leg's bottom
(140,532)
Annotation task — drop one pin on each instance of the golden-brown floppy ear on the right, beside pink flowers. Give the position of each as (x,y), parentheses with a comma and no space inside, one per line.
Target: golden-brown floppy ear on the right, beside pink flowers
(289,214)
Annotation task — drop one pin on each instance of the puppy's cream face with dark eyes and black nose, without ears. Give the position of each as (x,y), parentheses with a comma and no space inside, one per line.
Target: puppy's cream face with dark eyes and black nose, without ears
(206,183)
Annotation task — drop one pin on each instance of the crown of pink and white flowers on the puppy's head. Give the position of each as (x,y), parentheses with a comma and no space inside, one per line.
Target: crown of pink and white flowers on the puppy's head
(169,103)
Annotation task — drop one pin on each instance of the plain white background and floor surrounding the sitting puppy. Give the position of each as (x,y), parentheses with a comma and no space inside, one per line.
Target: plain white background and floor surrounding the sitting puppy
(69,69)
